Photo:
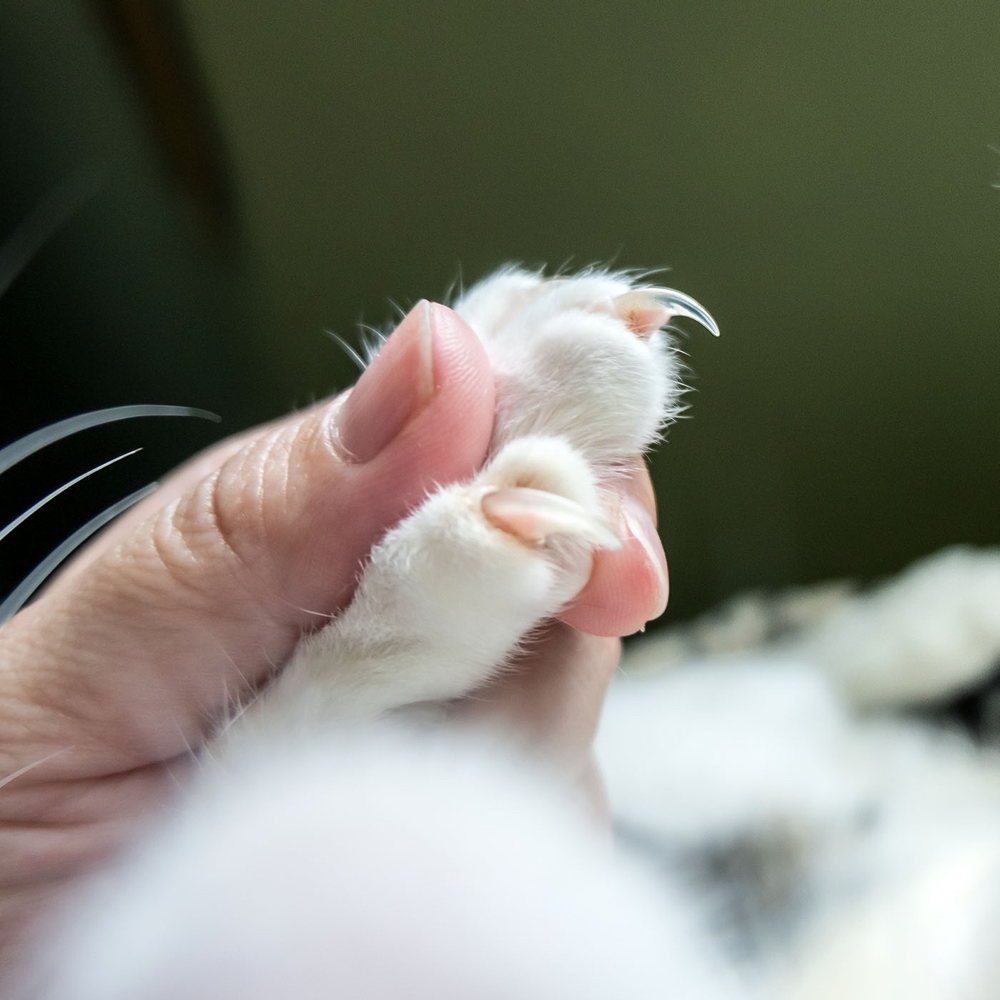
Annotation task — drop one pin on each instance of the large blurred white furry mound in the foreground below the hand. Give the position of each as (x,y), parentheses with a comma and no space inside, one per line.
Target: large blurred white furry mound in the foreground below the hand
(391,866)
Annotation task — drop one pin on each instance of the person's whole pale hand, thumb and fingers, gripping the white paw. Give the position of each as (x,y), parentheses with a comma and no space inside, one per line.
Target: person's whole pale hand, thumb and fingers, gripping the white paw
(123,666)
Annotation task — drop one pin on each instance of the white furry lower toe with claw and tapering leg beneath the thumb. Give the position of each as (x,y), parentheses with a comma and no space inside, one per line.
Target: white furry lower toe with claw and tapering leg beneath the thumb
(448,594)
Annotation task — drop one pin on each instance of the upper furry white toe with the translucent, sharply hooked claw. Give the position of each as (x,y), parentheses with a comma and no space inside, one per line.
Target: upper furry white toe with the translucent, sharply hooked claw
(584,357)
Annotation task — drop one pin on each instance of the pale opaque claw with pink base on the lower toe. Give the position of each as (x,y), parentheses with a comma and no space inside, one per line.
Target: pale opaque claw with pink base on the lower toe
(533,515)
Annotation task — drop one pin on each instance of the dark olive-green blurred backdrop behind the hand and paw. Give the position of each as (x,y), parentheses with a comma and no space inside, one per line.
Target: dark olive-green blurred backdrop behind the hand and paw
(224,181)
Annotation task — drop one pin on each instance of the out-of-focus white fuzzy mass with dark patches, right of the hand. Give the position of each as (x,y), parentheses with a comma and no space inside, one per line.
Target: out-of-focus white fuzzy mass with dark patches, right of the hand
(851,850)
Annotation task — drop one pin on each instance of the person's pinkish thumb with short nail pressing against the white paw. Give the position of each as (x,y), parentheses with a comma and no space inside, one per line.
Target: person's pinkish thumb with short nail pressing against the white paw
(133,656)
